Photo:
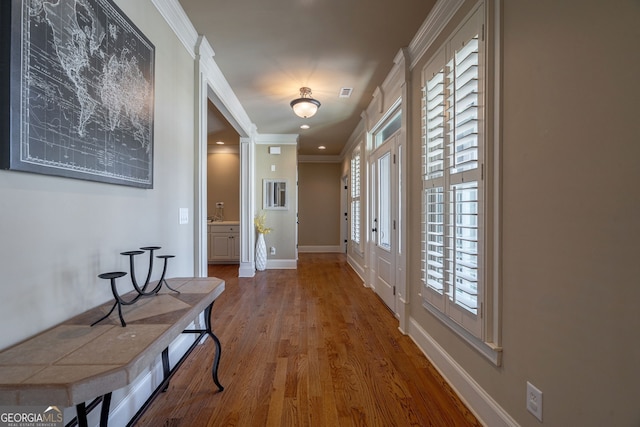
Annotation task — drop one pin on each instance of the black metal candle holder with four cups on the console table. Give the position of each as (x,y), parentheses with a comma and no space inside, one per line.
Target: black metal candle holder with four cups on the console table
(140,290)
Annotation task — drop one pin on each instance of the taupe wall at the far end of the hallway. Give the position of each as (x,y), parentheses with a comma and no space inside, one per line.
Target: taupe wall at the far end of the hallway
(319,209)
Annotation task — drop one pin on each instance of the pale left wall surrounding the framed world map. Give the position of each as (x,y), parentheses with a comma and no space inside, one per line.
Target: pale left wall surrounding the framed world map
(58,234)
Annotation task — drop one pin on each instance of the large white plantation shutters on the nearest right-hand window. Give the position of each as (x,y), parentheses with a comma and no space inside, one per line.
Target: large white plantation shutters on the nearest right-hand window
(452,180)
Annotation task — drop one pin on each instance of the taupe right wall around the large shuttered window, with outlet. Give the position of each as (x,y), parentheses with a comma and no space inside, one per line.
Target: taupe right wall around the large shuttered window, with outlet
(570,216)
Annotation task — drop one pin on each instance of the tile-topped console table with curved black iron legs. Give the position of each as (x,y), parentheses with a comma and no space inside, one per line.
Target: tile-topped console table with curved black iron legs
(74,363)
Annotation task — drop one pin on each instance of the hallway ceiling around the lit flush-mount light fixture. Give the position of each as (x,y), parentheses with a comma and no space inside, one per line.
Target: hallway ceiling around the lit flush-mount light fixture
(268,49)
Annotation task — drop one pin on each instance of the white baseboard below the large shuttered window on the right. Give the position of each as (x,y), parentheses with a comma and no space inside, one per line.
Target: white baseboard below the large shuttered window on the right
(483,406)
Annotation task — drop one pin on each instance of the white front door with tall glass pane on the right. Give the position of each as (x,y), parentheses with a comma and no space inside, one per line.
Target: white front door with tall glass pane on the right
(383,224)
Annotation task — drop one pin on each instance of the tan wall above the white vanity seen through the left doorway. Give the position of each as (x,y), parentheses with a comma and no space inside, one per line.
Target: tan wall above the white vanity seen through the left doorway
(223,184)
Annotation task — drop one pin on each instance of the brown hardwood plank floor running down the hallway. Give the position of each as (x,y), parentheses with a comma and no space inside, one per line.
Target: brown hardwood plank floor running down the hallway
(307,347)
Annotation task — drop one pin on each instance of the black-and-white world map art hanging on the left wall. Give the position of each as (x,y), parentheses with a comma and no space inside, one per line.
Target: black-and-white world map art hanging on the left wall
(77,91)
